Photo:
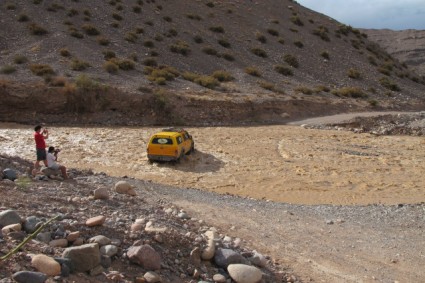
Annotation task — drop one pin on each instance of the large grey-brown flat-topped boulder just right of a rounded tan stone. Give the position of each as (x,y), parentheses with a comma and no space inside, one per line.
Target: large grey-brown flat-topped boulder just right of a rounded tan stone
(84,257)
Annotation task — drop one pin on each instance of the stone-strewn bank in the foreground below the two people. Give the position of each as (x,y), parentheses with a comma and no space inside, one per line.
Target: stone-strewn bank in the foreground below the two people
(108,231)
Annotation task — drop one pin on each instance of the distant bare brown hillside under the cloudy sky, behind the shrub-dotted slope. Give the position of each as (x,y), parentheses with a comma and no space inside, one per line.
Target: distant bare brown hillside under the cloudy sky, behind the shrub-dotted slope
(405,45)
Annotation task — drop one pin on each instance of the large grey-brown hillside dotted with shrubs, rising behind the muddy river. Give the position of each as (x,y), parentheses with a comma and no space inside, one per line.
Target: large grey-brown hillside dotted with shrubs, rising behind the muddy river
(190,62)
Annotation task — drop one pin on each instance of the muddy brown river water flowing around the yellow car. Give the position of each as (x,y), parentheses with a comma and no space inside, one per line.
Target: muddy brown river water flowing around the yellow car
(281,163)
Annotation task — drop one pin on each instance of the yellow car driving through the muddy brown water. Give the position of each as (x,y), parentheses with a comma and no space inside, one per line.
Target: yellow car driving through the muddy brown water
(170,145)
